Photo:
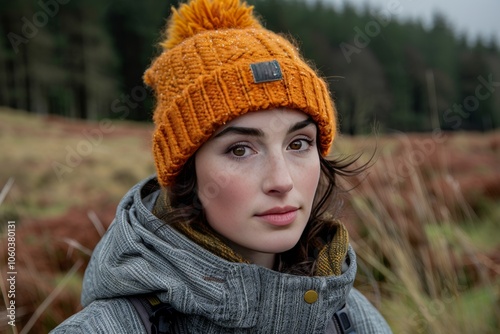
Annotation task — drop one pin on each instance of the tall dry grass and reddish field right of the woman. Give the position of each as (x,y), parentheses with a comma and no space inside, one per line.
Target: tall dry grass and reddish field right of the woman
(413,234)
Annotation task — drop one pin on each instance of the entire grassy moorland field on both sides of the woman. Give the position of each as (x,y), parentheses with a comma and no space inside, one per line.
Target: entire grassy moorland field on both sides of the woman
(424,219)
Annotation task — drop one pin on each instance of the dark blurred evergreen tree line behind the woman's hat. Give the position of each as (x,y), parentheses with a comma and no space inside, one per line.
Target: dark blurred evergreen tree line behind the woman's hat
(85,59)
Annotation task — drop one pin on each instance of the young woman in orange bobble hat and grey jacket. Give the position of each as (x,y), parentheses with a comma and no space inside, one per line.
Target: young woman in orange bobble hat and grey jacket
(236,231)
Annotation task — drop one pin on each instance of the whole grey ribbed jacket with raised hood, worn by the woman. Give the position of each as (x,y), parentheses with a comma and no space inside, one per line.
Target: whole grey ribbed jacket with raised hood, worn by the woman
(140,254)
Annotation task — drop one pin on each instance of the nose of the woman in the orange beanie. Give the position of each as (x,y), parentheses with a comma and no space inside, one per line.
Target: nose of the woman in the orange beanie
(277,178)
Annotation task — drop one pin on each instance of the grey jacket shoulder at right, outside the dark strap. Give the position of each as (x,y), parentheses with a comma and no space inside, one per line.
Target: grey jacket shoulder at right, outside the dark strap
(366,318)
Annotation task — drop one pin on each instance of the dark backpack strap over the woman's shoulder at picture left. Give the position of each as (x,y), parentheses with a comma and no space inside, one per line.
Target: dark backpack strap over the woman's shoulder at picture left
(157,317)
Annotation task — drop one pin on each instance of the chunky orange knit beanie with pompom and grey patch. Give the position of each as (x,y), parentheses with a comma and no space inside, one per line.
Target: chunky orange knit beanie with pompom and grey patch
(218,63)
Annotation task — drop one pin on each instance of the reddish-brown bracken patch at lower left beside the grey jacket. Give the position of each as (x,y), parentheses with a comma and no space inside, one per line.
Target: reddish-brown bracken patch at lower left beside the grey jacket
(47,250)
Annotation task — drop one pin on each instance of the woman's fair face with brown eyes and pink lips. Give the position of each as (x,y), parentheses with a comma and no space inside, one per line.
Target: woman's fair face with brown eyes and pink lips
(257,177)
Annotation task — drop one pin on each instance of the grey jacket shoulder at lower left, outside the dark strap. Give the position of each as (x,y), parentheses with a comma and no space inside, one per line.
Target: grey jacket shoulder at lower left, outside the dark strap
(116,315)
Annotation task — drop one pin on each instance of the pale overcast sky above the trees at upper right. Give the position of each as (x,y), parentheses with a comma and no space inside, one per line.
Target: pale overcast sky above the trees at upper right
(476,17)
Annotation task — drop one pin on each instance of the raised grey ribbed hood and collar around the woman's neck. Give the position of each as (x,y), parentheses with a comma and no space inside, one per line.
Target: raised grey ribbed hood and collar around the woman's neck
(140,254)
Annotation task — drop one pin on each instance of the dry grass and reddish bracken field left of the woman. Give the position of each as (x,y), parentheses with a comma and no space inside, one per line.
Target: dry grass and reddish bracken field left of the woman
(56,214)
